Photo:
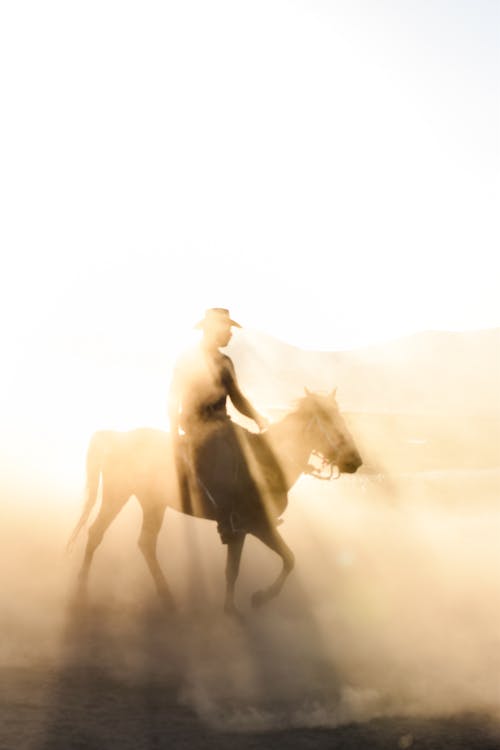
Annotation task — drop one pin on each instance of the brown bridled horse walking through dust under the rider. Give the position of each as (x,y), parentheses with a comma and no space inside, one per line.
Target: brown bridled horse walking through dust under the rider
(141,462)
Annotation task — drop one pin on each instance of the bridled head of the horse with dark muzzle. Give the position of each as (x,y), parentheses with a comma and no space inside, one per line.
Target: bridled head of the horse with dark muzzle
(328,433)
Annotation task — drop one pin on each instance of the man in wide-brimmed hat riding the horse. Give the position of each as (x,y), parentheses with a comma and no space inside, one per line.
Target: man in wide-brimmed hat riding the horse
(210,450)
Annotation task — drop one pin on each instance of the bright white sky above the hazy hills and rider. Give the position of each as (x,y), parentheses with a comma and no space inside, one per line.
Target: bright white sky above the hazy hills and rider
(327,170)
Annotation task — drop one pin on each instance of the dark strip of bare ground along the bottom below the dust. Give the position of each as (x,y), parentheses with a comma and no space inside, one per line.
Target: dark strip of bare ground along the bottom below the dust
(86,708)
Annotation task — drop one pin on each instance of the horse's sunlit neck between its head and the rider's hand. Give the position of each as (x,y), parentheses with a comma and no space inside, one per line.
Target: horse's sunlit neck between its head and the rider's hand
(290,444)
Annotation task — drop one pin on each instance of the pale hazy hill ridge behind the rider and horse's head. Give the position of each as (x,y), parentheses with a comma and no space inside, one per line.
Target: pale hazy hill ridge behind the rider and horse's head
(426,373)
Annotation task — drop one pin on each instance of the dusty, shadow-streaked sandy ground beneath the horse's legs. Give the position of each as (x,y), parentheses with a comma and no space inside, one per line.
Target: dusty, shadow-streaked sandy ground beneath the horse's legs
(386,636)
